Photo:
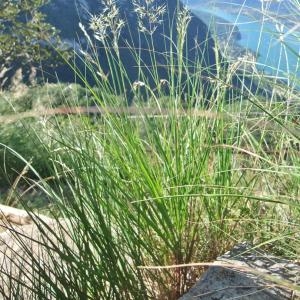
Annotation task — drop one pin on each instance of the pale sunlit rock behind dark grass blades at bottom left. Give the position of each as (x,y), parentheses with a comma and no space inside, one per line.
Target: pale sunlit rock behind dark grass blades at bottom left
(24,250)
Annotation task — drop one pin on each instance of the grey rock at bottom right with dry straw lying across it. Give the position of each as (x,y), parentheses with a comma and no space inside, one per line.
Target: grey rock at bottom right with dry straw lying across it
(248,275)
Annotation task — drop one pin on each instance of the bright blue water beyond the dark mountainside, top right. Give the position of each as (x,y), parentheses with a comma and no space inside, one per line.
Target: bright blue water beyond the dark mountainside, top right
(270,29)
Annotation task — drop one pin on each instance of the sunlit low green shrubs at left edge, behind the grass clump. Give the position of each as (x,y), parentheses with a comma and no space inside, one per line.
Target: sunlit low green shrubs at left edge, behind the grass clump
(29,136)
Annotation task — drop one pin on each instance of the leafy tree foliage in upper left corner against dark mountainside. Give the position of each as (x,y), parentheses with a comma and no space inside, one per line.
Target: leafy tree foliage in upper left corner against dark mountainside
(24,38)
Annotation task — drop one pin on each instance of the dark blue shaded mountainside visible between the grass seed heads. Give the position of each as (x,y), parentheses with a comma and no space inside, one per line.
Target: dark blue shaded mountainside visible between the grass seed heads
(66,15)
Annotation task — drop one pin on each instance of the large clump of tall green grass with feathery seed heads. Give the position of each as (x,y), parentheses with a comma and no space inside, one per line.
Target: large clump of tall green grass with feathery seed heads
(157,190)
